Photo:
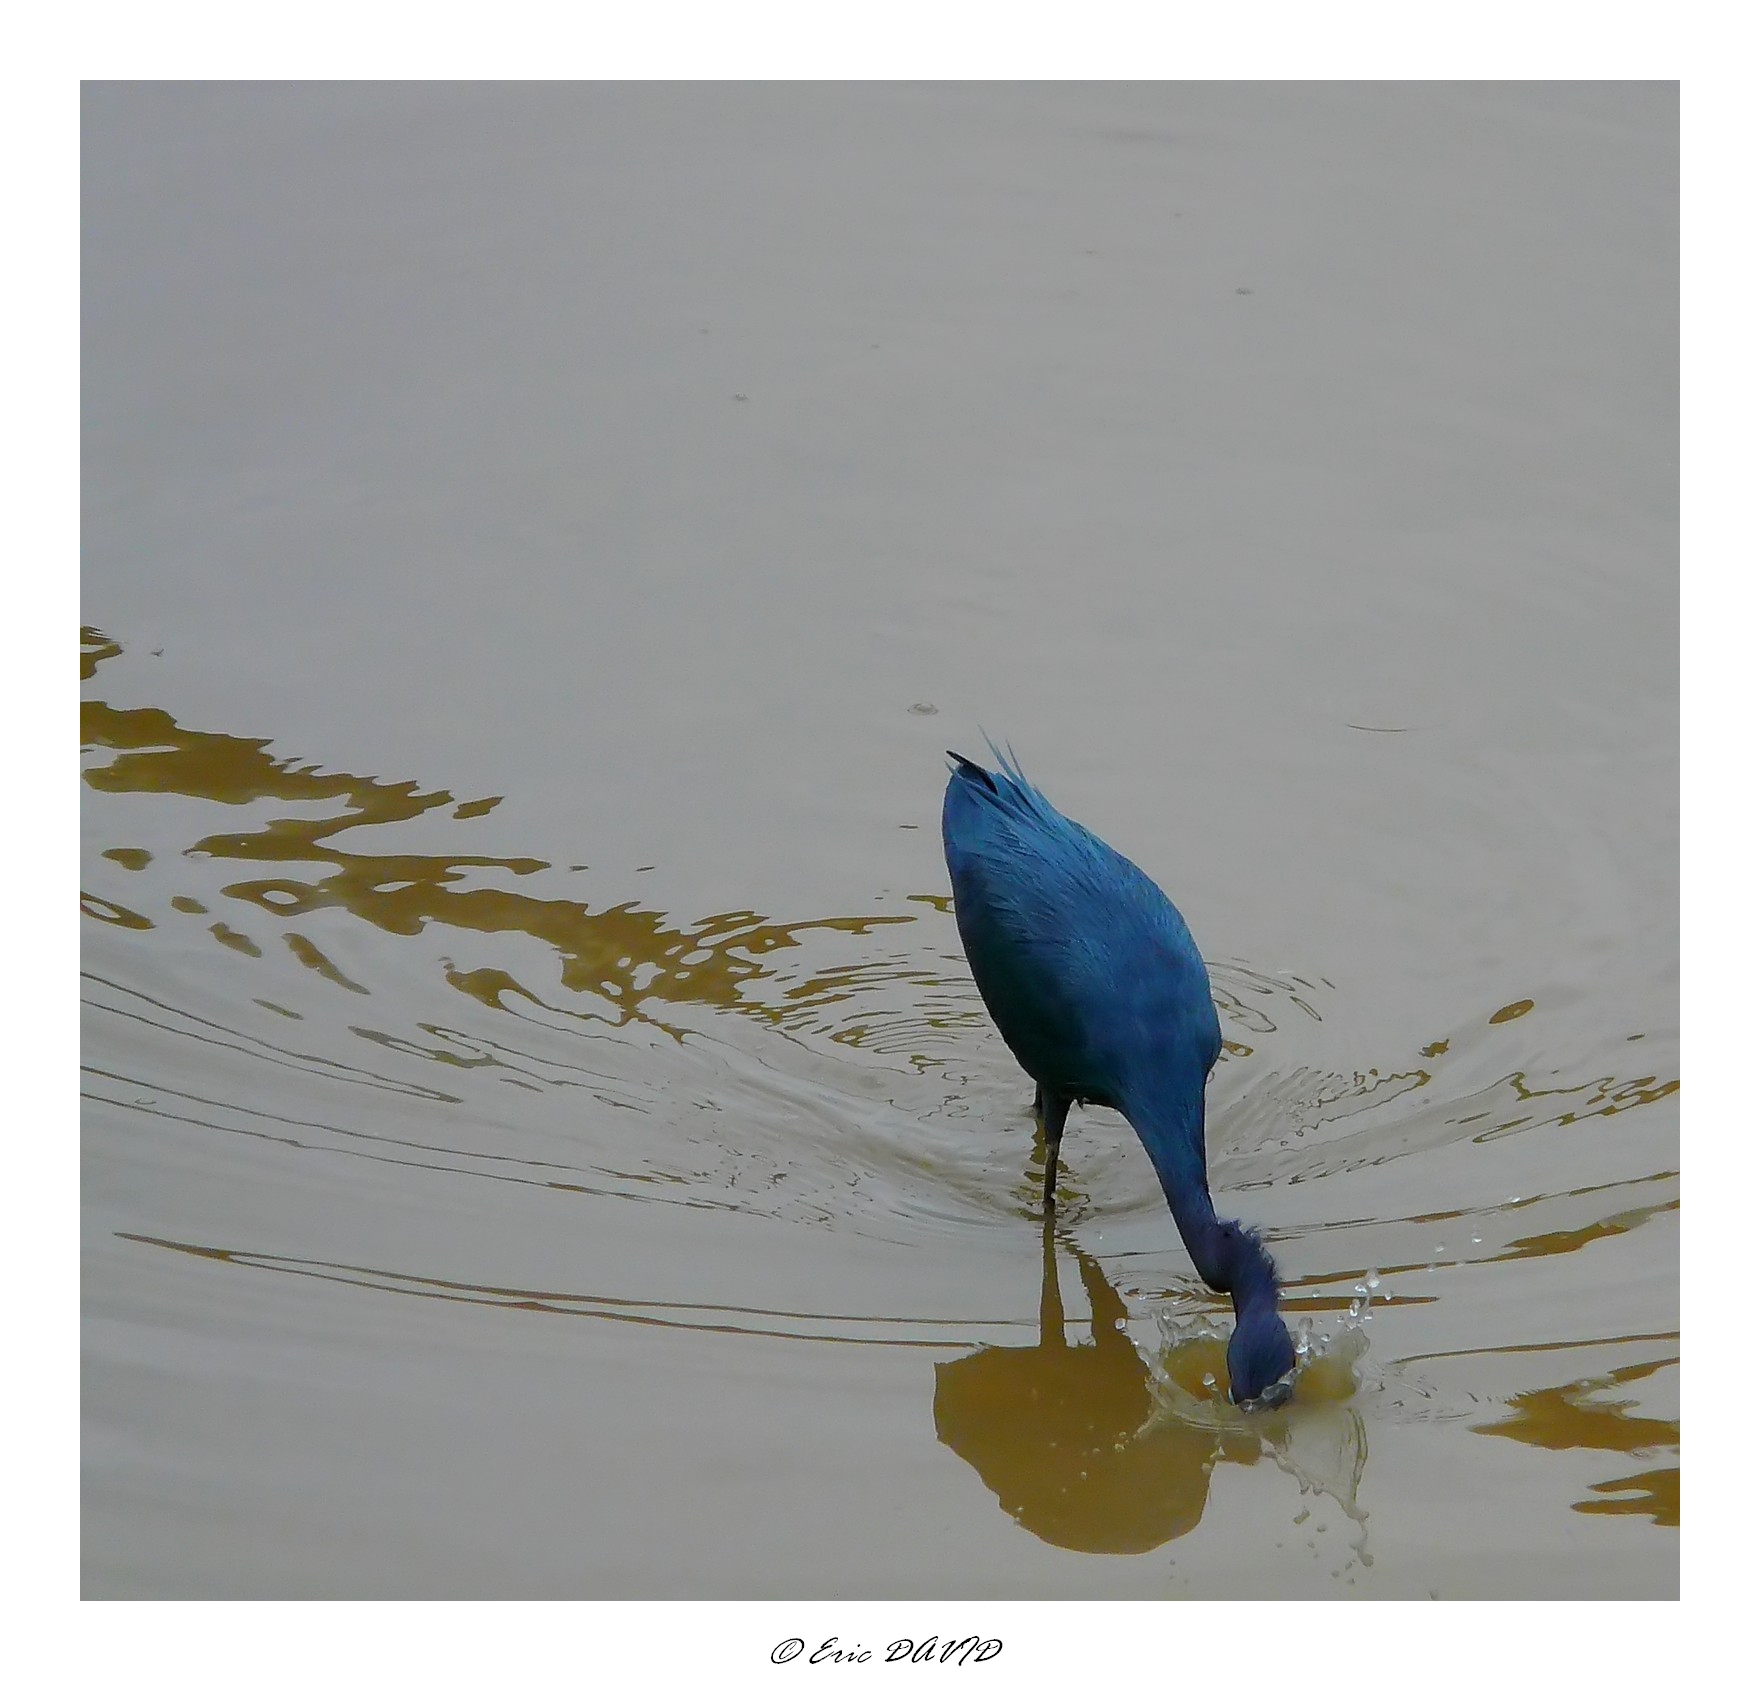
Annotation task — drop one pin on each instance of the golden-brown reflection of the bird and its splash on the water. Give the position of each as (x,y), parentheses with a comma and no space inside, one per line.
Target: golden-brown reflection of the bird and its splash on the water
(1078,1442)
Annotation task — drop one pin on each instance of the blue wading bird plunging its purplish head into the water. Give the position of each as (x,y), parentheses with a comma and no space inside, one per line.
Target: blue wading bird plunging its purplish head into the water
(1099,990)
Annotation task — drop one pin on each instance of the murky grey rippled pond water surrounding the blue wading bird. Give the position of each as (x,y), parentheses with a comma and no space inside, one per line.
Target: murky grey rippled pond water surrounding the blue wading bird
(541,1136)
